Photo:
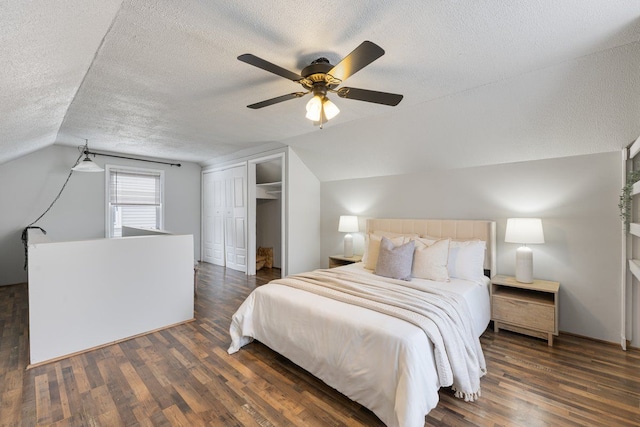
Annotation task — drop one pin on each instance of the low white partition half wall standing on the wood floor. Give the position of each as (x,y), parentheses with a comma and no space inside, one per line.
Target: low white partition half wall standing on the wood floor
(86,294)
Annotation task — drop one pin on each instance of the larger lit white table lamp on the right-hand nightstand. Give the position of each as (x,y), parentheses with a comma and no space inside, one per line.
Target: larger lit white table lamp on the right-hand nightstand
(524,231)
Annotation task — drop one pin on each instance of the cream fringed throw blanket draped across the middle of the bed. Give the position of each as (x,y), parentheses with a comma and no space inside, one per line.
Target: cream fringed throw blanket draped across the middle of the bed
(443,316)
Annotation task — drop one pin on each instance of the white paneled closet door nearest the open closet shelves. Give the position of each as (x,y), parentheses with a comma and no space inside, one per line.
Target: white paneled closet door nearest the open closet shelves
(235,218)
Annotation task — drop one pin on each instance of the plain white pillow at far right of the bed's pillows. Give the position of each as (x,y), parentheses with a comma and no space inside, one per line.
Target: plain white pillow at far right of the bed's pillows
(466,259)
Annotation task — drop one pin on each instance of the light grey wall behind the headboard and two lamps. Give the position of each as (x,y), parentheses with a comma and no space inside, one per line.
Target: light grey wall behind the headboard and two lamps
(576,197)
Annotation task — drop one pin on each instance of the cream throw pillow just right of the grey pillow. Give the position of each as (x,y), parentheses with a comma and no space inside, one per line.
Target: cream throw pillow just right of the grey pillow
(430,260)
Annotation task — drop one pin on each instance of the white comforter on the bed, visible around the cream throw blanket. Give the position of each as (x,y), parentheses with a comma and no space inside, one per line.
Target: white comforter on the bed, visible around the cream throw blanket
(382,362)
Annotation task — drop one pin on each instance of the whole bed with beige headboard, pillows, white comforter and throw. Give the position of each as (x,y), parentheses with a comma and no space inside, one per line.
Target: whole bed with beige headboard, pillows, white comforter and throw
(385,356)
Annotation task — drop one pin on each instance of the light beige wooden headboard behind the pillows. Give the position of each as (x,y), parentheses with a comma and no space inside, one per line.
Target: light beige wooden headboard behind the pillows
(443,228)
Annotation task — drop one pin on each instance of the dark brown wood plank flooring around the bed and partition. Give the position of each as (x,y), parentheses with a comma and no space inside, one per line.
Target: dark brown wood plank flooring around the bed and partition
(183,376)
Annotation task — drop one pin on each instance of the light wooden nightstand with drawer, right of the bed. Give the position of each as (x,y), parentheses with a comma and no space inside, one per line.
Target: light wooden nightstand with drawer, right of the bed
(526,308)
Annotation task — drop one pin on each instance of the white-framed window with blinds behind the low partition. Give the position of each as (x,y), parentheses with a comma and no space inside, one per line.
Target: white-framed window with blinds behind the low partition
(134,198)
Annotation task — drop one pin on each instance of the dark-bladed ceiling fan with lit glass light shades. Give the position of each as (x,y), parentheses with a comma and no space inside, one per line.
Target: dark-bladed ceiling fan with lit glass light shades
(321,77)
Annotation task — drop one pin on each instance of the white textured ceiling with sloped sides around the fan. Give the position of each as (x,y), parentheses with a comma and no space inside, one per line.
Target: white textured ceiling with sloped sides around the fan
(484,82)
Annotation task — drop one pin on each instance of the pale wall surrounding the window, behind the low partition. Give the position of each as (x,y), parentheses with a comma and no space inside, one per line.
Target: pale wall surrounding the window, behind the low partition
(29,184)
